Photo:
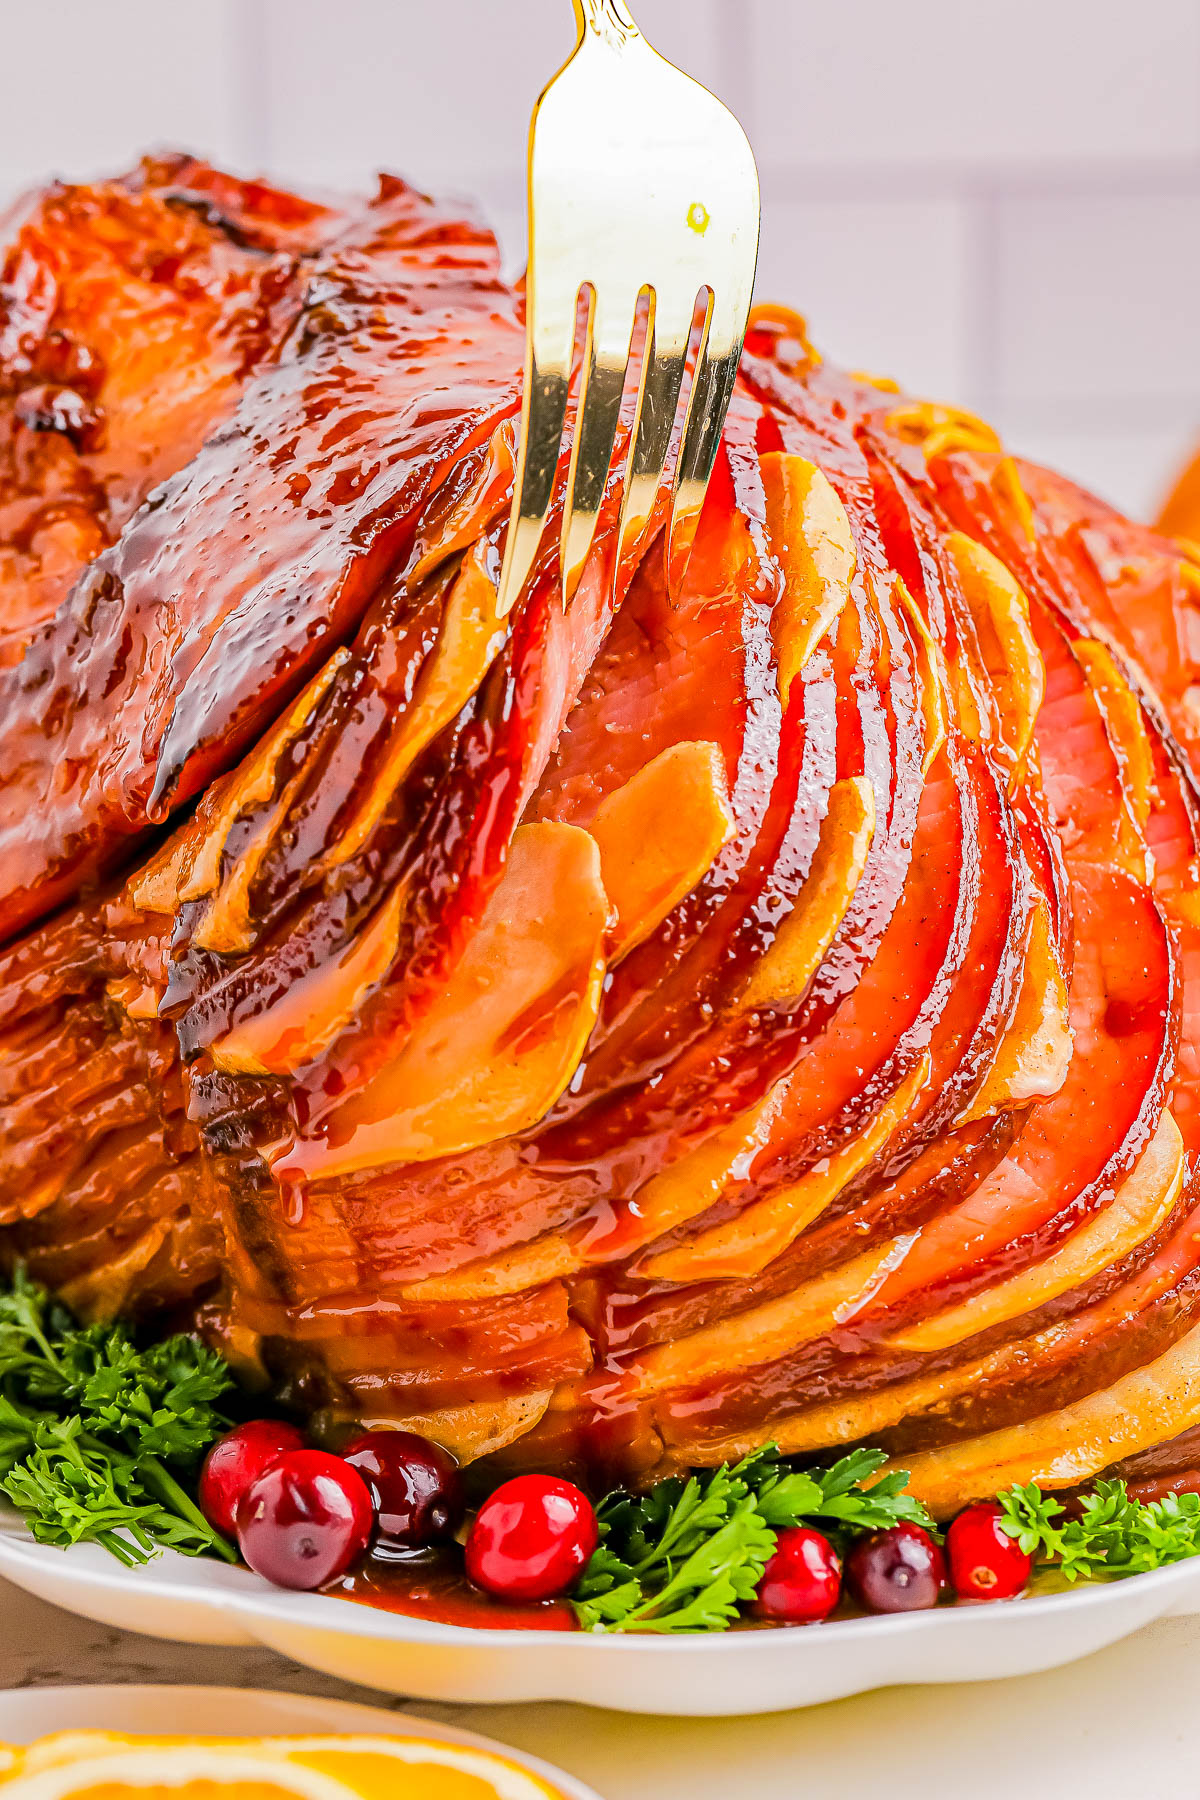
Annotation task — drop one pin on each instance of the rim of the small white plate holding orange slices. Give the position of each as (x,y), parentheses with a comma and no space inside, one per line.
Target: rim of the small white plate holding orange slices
(231,1713)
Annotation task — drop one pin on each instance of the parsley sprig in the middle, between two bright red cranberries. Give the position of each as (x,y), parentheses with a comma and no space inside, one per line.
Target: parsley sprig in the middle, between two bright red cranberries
(692,1552)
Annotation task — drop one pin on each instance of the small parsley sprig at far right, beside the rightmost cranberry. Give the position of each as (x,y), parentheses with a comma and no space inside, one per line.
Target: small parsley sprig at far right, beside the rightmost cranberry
(1111,1536)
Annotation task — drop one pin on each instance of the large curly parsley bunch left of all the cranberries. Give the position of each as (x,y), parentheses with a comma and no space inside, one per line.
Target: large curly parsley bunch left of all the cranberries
(102,1439)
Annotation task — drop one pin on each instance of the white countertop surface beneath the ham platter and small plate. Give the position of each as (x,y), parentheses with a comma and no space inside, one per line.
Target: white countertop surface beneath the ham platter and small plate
(1125,1723)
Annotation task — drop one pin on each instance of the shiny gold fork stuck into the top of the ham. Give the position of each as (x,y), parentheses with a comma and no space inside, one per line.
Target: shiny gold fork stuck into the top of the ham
(640,184)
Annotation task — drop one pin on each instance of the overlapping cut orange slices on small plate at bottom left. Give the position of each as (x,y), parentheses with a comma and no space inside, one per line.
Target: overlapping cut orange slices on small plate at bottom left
(111,1767)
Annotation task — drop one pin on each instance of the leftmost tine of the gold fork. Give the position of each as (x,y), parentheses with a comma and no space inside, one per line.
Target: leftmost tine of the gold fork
(544,409)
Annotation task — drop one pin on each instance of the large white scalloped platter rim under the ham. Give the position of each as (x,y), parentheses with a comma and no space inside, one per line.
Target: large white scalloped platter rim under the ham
(731,1673)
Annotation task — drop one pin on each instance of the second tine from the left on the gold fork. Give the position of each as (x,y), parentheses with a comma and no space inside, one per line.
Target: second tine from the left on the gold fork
(611,330)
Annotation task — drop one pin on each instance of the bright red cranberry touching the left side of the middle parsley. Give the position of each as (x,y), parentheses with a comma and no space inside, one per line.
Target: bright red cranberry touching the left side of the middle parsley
(532,1538)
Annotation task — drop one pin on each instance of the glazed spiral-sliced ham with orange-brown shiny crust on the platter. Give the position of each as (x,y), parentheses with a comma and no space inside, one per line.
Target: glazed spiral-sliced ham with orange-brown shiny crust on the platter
(622,1034)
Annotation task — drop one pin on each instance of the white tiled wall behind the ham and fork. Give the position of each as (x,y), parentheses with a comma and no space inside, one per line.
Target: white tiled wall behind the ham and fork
(998,204)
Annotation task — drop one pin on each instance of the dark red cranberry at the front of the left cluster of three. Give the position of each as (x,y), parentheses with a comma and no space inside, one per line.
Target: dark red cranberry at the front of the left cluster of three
(307,1520)
